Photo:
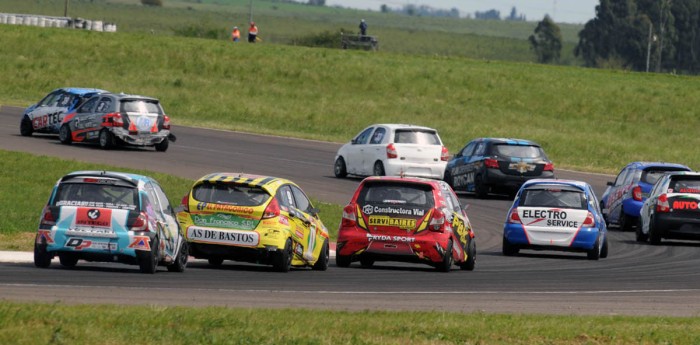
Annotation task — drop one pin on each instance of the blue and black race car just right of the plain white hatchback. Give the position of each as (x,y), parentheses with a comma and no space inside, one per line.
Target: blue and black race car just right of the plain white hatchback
(488,165)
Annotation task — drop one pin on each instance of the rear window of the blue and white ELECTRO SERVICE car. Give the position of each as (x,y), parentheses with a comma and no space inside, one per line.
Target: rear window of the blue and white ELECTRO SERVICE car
(554,196)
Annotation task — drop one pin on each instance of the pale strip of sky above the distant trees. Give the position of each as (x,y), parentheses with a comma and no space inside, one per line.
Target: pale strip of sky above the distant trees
(561,11)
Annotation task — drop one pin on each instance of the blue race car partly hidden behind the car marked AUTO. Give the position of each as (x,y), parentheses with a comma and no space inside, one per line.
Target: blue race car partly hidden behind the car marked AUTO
(625,196)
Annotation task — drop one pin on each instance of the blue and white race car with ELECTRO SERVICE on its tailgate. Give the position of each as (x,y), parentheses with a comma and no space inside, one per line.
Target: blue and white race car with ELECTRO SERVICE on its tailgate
(555,215)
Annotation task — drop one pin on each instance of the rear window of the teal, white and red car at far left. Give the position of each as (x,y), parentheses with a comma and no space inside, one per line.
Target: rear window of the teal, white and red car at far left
(96,195)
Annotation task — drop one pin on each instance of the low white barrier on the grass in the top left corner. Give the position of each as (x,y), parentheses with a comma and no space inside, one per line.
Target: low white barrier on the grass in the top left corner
(56,22)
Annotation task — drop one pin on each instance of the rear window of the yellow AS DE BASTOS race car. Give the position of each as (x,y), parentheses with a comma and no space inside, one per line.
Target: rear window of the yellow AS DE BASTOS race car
(230,194)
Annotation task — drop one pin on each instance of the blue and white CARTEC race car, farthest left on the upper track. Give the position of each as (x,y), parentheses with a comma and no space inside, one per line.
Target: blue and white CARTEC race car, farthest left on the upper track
(46,115)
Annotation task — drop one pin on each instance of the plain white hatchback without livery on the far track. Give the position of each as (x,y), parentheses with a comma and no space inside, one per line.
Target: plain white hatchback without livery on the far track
(393,150)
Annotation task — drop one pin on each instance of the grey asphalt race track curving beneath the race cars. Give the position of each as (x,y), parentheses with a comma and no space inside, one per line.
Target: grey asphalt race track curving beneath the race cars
(636,279)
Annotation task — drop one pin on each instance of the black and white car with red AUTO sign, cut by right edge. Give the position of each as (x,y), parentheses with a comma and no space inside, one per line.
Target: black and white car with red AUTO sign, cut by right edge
(672,210)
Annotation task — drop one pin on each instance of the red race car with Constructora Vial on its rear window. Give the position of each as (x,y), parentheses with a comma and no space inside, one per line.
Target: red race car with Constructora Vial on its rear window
(406,219)
